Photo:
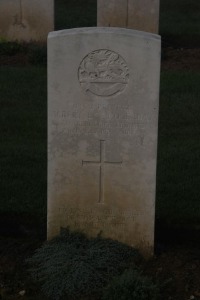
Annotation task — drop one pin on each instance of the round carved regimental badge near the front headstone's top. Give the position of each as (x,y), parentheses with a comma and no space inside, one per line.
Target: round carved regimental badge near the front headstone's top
(103,73)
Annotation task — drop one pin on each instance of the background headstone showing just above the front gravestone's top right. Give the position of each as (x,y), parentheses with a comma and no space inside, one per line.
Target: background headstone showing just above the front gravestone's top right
(136,14)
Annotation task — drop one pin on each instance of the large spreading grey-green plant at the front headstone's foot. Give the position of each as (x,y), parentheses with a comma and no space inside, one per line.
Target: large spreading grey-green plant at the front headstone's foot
(72,266)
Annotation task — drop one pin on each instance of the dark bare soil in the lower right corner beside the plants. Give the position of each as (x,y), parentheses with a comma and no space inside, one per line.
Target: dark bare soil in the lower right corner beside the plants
(179,268)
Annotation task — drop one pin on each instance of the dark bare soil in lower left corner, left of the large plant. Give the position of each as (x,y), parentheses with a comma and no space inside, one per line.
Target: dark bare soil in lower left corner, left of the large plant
(14,277)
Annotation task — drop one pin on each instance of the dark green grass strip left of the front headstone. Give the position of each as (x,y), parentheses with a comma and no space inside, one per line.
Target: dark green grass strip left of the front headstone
(23,139)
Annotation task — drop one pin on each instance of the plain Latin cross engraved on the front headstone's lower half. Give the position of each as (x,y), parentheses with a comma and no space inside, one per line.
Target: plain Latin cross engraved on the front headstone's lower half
(101,163)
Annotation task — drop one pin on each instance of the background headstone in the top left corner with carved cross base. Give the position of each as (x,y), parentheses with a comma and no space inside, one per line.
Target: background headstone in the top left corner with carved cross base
(26,20)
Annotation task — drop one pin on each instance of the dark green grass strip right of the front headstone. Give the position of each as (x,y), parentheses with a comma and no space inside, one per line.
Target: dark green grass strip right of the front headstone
(178,175)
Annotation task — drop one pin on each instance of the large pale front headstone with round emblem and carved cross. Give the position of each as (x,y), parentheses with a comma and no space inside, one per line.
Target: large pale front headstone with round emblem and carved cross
(103,89)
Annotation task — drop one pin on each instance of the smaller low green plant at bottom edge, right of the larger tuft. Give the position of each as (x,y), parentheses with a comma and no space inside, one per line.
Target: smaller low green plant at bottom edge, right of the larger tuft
(131,285)
